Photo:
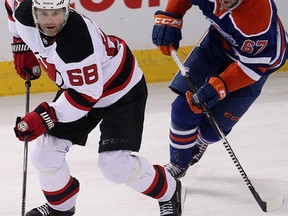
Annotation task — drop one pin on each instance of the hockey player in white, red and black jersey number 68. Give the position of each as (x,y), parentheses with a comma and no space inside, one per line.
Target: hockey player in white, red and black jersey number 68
(100,83)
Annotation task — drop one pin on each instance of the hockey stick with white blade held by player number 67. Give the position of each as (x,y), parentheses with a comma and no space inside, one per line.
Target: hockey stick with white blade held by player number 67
(268,206)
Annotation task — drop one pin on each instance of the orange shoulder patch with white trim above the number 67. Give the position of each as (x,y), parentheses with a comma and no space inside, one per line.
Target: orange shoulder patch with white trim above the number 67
(253,17)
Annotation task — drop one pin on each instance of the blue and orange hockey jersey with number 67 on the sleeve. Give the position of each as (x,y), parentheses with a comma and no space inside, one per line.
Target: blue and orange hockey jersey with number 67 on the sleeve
(252,35)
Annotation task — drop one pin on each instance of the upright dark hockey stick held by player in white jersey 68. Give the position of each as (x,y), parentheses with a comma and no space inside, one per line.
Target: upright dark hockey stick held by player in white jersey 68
(25,158)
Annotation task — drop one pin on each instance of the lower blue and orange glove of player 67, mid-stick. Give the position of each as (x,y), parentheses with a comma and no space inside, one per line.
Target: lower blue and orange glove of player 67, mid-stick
(211,92)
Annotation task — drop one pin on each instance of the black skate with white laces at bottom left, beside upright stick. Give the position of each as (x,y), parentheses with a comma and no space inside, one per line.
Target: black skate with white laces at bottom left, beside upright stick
(46,210)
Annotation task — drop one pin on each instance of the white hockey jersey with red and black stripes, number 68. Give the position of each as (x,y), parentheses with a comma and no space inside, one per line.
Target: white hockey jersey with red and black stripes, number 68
(93,69)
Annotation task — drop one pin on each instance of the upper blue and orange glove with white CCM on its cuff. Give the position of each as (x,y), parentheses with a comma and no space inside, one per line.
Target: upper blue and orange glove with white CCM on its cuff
(166,31)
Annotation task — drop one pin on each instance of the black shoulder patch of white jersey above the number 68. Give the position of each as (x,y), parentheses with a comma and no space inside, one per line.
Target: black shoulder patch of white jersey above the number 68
(74,43)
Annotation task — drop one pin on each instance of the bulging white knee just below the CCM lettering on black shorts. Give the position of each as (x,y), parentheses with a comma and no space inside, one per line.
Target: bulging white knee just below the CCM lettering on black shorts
(117,166)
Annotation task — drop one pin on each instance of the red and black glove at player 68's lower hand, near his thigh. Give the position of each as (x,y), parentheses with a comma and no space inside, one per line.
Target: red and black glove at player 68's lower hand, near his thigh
(35,123)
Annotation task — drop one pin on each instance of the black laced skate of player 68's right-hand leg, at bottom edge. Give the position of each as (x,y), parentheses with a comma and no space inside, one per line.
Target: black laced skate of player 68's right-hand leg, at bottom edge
(175,205)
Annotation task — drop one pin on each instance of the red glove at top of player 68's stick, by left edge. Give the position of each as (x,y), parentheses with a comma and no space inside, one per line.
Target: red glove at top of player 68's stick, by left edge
(24,59)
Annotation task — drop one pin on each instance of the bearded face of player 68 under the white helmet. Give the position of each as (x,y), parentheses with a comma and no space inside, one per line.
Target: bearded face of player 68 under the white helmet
(50,21)
